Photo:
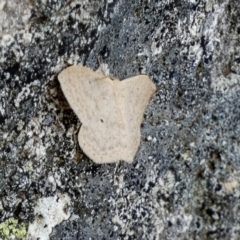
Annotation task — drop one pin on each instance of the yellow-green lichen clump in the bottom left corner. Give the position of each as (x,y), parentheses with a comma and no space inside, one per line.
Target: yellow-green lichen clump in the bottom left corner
(11,227)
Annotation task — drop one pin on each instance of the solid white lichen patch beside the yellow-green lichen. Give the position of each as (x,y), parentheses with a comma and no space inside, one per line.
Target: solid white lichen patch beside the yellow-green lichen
(49,212)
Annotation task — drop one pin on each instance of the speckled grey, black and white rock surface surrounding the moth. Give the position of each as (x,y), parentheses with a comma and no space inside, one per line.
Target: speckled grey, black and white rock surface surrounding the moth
(184,181)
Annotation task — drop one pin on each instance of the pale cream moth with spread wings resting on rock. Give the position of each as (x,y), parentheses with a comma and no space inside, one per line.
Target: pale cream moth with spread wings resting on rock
(111,111)
